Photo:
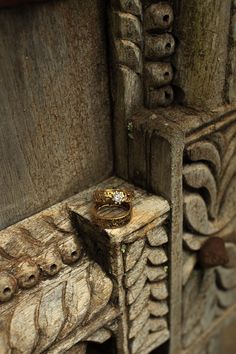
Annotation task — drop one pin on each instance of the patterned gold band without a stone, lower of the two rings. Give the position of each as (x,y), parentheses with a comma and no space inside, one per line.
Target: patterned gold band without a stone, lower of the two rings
(108,221)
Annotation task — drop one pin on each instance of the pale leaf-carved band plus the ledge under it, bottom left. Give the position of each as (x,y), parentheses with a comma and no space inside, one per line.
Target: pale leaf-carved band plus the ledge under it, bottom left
(58,313)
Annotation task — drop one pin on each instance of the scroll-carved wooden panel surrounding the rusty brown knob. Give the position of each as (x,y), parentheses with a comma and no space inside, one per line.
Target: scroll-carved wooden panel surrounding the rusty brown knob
(209,210)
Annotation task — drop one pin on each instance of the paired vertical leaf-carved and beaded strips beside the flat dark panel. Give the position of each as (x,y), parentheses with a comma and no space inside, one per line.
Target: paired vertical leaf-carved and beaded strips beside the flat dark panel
(142,45)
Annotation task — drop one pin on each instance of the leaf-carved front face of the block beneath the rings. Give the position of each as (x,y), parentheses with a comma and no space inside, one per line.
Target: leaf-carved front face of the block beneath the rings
(146,290)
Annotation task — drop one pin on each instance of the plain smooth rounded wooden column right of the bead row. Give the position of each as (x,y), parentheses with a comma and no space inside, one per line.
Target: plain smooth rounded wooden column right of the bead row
(202,30)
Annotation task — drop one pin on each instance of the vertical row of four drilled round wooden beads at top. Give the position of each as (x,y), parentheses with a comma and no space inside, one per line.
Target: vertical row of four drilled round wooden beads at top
(159,44)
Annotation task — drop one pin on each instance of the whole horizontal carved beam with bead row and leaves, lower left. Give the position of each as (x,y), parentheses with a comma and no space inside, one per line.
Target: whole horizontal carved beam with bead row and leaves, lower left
(51,295)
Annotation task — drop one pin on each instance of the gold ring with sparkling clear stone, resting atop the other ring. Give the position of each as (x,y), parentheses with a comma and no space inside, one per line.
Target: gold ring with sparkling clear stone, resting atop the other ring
(113,196)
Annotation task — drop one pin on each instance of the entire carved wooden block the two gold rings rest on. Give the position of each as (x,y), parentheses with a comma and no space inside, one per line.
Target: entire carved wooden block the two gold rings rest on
(129,253)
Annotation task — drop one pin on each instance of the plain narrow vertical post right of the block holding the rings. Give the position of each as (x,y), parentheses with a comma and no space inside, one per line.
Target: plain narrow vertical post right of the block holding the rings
(166,179)
